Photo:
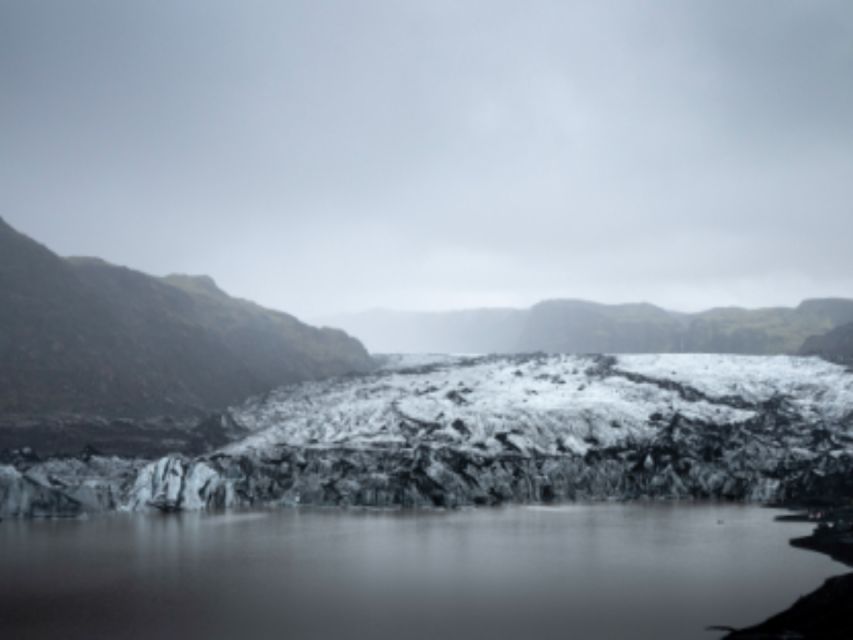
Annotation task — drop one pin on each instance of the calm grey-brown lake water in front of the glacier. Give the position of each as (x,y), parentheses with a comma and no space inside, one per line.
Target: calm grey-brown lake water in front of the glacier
(609,571)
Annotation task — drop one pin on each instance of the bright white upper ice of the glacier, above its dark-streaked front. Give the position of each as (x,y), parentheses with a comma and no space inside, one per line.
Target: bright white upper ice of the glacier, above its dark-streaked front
(545,403)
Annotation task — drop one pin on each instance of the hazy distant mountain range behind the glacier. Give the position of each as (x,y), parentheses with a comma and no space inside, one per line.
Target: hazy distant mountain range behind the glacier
(577,326)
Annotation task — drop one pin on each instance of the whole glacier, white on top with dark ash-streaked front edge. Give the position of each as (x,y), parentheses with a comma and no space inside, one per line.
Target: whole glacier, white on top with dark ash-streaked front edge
(451,431)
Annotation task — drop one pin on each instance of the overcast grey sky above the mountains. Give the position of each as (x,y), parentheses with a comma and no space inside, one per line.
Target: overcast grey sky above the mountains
(332,156)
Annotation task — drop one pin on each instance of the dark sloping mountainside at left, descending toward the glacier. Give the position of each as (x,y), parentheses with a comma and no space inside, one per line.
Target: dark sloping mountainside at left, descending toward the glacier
(82,336)
